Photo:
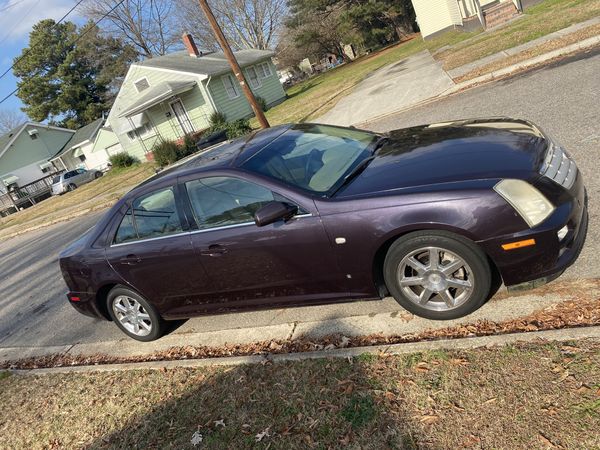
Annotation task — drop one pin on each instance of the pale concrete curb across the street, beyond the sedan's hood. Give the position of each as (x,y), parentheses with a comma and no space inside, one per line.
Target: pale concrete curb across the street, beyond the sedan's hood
(495,75)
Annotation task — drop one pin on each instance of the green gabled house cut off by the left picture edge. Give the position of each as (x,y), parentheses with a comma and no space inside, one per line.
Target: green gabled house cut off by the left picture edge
(25,151)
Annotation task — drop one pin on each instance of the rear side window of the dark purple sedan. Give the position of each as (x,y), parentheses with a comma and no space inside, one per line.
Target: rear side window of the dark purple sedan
(152,215)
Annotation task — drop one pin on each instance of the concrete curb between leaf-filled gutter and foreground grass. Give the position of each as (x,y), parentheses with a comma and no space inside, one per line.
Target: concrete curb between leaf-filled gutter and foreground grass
(381,350)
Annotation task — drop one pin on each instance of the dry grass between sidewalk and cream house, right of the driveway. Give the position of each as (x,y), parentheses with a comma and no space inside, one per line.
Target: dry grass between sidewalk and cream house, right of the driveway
(540,20)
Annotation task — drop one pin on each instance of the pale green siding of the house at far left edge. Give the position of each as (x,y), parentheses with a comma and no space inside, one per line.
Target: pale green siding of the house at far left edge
(22,159)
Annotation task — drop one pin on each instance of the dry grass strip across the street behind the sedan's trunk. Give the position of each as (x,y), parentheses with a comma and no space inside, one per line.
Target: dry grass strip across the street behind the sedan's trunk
(95,195)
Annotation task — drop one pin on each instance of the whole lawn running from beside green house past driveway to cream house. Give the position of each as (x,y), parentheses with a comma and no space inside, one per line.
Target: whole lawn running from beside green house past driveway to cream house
(314,97)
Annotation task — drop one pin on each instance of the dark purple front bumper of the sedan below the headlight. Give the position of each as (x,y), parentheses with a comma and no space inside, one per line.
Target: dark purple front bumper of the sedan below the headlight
(550,256)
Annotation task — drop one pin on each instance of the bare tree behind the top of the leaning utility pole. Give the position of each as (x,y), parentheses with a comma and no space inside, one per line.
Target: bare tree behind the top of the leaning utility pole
(246,23)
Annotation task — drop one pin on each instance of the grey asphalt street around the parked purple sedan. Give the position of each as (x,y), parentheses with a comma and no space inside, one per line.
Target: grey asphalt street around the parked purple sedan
(563,99)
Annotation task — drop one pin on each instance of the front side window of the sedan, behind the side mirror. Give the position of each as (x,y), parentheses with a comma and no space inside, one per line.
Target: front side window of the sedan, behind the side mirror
(223,201)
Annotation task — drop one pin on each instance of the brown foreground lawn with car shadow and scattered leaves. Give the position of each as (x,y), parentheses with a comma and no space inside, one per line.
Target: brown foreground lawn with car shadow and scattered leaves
(536,396)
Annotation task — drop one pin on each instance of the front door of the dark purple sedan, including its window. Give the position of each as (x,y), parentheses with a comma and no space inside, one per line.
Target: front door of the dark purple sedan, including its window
(277,263)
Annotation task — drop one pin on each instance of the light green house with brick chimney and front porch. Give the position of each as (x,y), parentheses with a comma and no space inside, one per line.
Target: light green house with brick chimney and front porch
(171,96)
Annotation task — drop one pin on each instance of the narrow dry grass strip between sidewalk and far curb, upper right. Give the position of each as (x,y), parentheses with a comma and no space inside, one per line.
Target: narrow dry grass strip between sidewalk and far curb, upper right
(541,49)
